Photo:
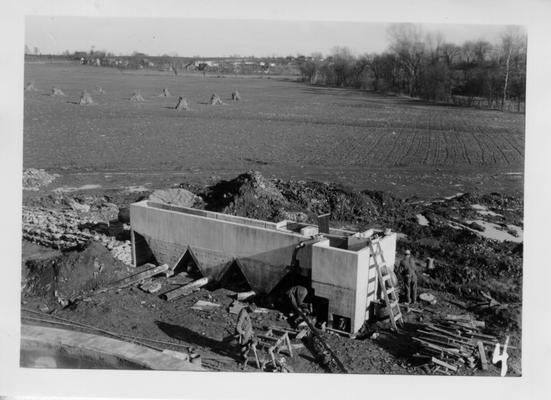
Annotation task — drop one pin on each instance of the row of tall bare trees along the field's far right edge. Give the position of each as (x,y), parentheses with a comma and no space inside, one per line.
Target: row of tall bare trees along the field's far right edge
(424,65)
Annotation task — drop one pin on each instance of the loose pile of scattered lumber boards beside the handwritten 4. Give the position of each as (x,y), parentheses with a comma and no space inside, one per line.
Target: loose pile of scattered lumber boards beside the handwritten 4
(452,343)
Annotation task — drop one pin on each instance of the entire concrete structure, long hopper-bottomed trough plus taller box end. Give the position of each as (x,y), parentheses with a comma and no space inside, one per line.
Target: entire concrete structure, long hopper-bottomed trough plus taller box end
(339,263)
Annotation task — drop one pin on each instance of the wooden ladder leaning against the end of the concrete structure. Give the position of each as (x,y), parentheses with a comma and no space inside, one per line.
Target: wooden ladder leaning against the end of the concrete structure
(390,294)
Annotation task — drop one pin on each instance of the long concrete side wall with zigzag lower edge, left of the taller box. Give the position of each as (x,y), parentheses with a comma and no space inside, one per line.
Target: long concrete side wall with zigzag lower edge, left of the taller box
(216,240)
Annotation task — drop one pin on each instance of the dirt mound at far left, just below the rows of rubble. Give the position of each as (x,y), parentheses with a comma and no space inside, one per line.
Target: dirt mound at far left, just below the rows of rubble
(63,278)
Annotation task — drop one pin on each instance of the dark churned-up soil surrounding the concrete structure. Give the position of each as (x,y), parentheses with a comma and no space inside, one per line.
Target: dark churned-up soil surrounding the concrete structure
(467,268)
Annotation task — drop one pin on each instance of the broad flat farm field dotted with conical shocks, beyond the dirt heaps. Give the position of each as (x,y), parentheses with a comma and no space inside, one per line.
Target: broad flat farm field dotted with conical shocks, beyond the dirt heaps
(281,128)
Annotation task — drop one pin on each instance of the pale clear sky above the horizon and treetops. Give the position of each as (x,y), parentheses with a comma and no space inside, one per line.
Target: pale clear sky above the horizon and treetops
(222,37)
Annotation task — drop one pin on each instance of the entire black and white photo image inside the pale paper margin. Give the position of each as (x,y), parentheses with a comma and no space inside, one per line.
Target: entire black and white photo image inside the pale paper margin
(259,196)
